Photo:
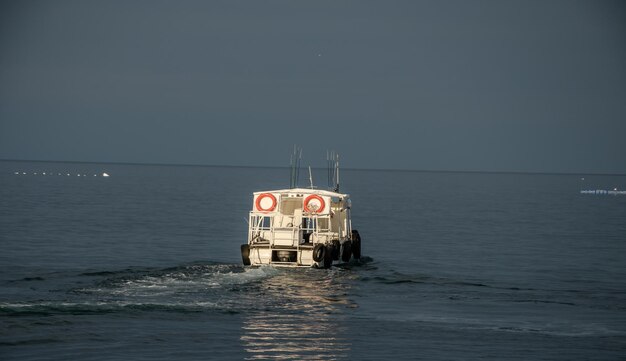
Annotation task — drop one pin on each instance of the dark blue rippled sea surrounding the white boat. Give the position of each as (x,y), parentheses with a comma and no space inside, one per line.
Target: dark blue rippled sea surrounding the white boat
(145,264)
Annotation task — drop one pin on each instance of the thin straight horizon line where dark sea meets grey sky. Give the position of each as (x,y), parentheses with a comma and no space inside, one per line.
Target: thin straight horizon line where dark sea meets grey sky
(347,168)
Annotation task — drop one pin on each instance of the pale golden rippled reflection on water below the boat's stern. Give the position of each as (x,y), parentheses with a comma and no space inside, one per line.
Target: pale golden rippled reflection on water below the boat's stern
(304,319)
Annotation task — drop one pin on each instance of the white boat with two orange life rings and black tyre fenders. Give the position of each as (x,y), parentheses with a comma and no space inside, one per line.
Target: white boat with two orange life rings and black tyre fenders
(301,227)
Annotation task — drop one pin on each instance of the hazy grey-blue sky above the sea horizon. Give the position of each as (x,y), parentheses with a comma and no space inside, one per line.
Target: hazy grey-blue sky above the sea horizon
(439,85)
